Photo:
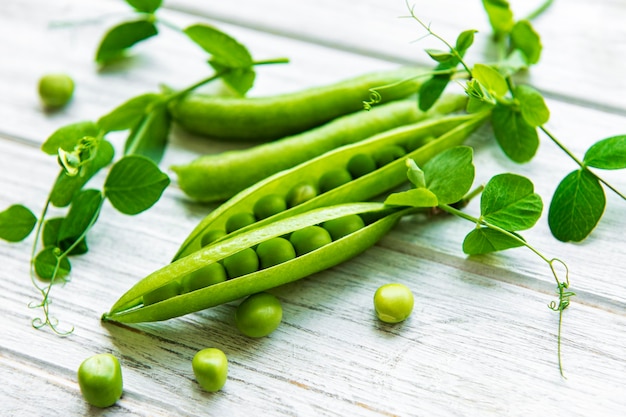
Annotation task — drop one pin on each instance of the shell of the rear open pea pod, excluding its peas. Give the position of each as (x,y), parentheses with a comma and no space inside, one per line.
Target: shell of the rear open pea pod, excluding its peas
(422,140)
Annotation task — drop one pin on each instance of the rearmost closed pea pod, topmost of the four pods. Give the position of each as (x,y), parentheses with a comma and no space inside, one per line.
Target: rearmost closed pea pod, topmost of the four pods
(262,119)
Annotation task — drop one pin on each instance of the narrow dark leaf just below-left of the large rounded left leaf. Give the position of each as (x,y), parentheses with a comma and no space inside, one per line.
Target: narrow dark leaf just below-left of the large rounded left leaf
(83,212)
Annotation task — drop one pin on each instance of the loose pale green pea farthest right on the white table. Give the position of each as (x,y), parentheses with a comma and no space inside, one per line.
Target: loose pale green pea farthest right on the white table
(393,302)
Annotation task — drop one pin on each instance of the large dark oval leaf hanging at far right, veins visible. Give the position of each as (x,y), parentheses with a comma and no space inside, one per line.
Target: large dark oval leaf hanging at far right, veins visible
(577,206)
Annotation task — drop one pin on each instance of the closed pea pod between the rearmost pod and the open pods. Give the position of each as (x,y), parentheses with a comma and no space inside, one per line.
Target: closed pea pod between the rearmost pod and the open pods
(216,177)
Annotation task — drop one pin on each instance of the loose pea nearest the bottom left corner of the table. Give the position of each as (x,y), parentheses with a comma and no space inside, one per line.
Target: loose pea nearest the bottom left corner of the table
(100,380)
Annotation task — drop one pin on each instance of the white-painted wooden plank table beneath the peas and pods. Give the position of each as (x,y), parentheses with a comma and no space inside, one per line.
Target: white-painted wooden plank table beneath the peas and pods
(481,340)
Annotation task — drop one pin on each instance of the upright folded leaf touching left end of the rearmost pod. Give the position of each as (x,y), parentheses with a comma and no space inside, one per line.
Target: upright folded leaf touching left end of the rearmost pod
(150,136)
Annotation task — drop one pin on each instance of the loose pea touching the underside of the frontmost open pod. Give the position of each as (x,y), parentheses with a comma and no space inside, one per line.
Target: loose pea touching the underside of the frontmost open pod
(259,315)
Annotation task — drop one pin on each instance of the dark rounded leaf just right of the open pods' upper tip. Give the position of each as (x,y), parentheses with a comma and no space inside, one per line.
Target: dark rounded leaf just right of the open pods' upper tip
(516,137)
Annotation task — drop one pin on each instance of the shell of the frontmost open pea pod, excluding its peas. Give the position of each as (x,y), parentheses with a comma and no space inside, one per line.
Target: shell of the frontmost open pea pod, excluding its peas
(378,220)
